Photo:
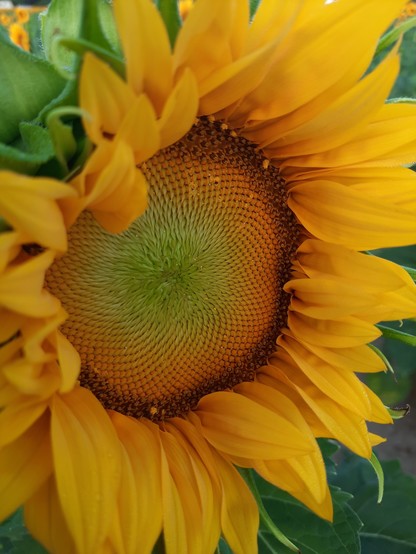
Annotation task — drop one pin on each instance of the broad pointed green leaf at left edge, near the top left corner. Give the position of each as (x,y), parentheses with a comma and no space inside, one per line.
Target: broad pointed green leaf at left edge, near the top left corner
(27,84)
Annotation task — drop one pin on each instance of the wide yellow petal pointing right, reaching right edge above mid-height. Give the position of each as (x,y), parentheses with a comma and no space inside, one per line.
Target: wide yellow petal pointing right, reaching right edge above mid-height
(342,215)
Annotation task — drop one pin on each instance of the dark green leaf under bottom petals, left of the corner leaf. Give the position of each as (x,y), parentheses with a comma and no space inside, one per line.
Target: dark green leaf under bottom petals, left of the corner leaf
(310,533)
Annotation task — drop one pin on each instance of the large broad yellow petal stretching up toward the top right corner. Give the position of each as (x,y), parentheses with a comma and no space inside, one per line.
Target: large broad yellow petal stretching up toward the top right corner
(305,60)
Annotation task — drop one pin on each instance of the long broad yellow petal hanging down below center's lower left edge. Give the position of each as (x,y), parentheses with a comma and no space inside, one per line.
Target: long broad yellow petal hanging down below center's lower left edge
(86,460)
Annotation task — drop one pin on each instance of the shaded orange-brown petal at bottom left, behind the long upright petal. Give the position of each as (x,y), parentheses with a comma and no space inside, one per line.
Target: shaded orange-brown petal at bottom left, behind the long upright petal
(45,520)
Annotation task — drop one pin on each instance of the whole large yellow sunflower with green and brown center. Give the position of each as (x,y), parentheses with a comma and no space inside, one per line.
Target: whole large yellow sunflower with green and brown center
(198,298)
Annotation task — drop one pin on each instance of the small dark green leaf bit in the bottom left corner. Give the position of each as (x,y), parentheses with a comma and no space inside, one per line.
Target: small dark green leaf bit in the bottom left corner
(15,538)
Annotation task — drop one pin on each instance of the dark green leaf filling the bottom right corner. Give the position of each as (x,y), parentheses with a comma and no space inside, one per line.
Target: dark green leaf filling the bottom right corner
(389,527)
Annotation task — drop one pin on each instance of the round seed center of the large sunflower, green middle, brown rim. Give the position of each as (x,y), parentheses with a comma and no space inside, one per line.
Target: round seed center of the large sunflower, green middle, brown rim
(189,299)
